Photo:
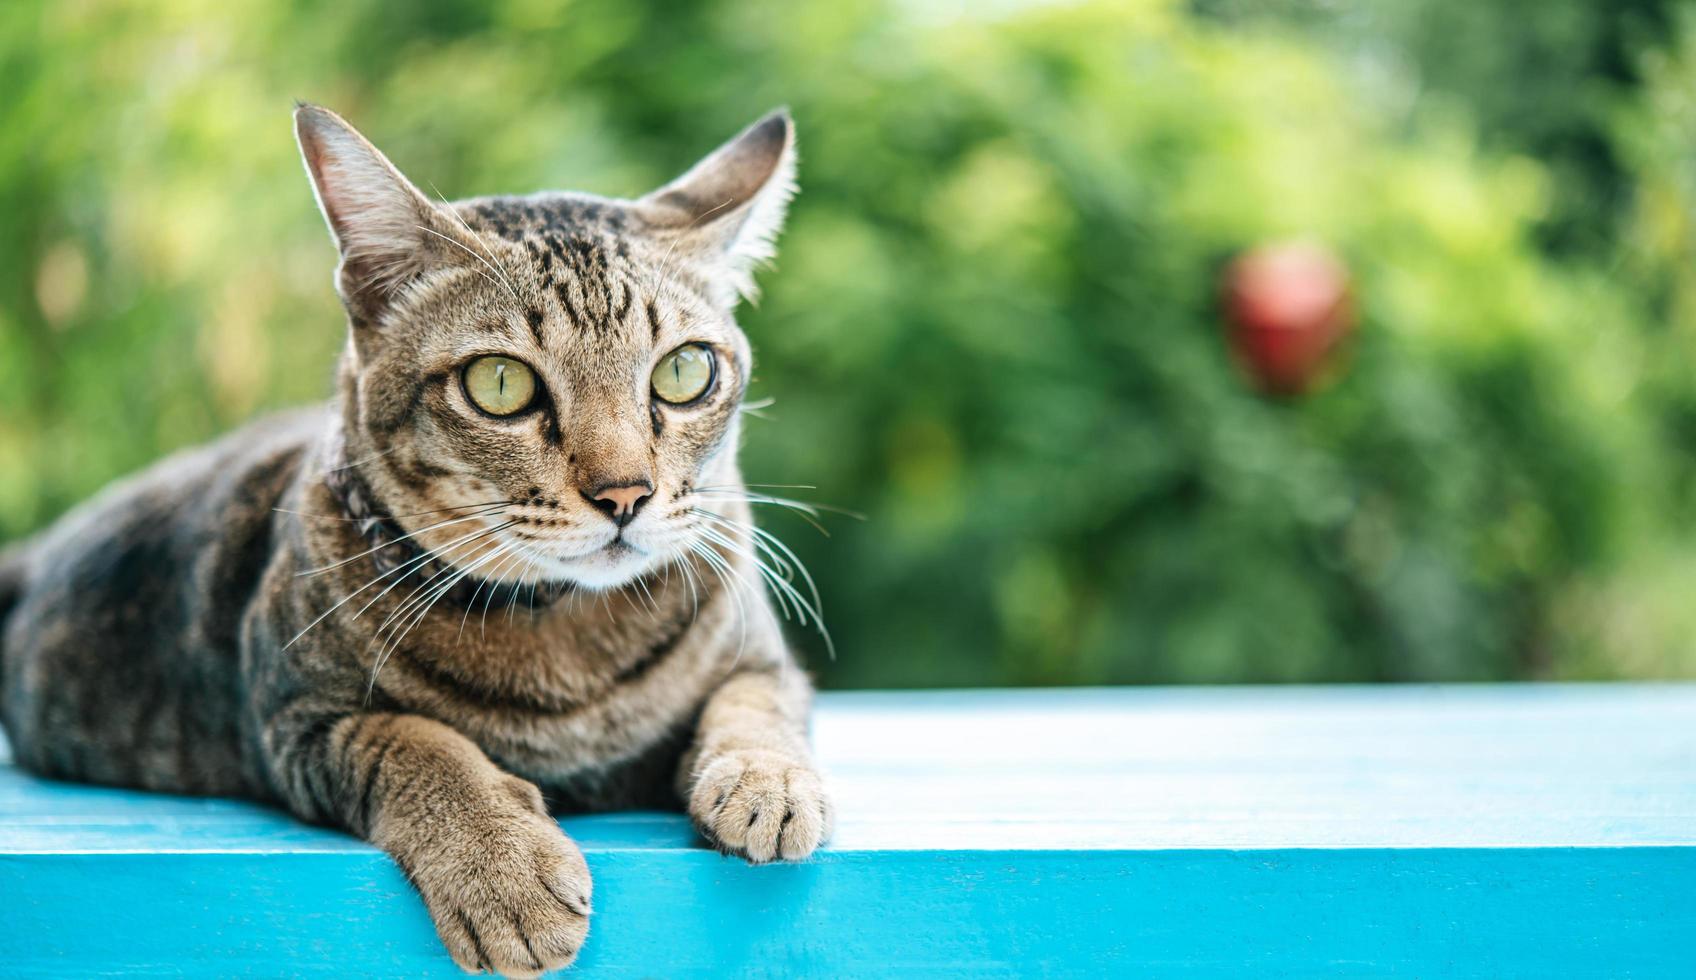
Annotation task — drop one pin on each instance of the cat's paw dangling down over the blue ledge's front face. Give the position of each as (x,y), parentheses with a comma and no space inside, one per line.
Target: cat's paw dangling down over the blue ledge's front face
(508,894)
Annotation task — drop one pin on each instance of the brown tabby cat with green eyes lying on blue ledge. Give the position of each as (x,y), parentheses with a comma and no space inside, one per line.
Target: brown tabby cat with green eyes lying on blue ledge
(510,571)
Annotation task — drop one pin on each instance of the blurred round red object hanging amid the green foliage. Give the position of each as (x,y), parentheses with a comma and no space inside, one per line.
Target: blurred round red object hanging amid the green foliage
(1288,309)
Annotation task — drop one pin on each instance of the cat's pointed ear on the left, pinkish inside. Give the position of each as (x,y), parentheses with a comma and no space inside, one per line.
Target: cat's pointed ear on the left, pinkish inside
(384,228)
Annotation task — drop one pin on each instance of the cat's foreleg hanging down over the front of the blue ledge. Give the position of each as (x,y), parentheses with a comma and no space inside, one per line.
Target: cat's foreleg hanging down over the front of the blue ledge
(506,888)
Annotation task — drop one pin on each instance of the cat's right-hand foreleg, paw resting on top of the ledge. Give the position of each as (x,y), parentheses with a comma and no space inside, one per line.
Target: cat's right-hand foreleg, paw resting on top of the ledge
(749,777)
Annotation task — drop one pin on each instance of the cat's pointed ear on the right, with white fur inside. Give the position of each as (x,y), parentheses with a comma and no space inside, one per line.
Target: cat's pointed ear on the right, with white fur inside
(728,209)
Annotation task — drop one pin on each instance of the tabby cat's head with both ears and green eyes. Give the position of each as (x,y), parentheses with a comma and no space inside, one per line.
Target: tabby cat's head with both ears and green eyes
(549,386)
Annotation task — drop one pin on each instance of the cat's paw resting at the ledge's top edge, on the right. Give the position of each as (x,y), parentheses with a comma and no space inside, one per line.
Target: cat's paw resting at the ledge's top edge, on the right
(762,806)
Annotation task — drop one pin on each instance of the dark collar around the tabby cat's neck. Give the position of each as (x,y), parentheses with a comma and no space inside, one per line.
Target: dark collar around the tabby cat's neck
(399,560)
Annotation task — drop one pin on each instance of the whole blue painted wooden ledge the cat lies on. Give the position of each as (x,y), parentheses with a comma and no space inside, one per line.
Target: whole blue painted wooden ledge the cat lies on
(1451,832)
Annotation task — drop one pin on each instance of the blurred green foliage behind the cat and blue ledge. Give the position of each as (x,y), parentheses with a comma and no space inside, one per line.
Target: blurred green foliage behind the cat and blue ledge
(993,328)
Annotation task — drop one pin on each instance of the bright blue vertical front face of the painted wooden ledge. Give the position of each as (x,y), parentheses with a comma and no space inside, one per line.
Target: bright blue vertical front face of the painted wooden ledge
(1454,913)
